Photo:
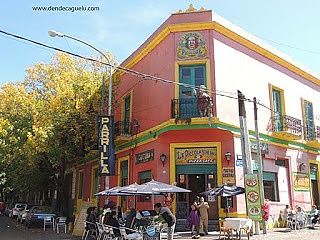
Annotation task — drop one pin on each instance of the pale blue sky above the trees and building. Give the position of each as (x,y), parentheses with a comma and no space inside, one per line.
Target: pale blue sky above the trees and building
(120,26)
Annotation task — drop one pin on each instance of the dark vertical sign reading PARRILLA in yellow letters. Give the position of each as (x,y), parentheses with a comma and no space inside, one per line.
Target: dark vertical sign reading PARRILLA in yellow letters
(106,145)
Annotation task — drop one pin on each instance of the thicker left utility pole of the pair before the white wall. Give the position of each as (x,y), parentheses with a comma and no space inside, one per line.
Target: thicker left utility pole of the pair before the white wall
(245,147)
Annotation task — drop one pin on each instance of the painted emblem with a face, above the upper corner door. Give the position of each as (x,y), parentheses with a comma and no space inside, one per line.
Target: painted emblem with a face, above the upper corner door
(191,45)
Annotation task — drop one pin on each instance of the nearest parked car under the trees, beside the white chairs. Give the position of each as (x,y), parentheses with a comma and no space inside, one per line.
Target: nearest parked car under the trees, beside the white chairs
(36,215)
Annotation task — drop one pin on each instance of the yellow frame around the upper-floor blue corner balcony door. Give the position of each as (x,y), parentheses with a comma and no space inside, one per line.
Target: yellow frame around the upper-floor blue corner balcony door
(191,62)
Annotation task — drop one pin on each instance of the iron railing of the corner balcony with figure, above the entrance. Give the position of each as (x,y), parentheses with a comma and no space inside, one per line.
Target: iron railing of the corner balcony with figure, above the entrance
(185,108)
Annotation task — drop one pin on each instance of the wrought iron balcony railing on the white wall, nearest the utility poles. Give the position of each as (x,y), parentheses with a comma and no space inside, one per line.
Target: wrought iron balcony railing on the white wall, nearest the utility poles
(284,123)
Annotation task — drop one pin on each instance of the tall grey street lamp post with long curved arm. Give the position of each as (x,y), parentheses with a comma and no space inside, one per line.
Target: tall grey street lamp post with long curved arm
(53,33)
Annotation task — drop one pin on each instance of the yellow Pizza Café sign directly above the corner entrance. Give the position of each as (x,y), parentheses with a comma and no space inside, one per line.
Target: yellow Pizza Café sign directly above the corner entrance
(196,155)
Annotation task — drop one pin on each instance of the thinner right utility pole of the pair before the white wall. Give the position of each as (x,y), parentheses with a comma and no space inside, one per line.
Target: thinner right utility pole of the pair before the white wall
(260,163)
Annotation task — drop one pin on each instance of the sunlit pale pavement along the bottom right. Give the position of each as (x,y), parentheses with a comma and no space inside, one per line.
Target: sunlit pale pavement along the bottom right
(275,234)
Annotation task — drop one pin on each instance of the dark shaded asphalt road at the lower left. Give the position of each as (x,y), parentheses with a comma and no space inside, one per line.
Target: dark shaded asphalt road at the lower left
(12,230)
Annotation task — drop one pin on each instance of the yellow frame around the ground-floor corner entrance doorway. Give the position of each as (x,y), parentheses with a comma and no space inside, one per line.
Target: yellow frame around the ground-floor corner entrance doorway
(172,173)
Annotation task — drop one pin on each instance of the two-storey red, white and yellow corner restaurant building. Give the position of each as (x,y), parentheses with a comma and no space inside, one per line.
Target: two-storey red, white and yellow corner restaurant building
(161,134)
